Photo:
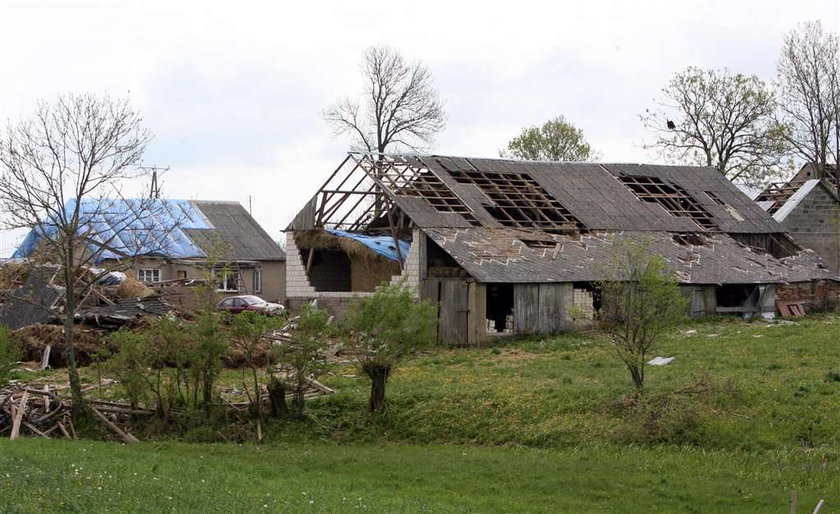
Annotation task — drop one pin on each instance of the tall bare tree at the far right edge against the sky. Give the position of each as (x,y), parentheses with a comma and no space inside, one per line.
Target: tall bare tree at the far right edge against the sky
(809,93)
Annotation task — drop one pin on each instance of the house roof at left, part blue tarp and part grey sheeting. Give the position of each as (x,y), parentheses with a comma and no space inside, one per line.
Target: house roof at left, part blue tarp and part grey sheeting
(178,229)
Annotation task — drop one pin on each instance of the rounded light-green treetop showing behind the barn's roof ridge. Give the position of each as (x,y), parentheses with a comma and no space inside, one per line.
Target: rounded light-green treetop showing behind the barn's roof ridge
(555,140)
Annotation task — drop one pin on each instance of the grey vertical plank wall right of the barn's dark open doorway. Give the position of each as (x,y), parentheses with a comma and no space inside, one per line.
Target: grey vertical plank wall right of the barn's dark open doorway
(542,308)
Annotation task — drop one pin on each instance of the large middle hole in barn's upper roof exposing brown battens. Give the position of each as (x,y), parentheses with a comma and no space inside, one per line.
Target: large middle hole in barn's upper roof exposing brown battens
(521,202)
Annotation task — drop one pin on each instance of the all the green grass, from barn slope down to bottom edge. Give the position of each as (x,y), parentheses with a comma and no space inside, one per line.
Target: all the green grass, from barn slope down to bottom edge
(746,413)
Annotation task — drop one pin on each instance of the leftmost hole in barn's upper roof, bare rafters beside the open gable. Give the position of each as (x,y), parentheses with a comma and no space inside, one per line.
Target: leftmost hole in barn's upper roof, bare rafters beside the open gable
(404,179)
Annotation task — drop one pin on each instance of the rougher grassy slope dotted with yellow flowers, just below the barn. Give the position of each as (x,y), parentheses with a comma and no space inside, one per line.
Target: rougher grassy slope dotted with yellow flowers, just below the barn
(765,387)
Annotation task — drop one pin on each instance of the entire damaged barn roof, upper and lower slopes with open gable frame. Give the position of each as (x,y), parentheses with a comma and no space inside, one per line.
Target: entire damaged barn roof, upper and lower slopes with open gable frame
(524,221)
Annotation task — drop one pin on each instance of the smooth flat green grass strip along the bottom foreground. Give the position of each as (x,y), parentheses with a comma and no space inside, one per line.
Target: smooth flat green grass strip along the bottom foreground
(59,476)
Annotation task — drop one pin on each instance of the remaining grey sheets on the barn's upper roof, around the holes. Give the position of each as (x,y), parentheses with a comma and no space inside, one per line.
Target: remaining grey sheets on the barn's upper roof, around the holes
(594,195)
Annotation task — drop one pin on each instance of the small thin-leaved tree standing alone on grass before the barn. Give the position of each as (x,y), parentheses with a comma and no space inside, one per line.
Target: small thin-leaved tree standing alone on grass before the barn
(641,298)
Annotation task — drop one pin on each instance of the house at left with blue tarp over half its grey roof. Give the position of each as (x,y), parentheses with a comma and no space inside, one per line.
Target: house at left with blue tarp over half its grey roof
(173,240)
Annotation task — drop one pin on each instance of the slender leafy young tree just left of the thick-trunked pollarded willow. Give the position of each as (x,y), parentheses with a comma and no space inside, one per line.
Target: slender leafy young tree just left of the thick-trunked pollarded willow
(304,354)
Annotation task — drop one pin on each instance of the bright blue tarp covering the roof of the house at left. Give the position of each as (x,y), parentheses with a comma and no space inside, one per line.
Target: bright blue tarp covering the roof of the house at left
(130,227)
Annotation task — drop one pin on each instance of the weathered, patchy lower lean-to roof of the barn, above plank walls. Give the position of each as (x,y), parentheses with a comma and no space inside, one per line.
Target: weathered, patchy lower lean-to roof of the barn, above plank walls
(500,255)
